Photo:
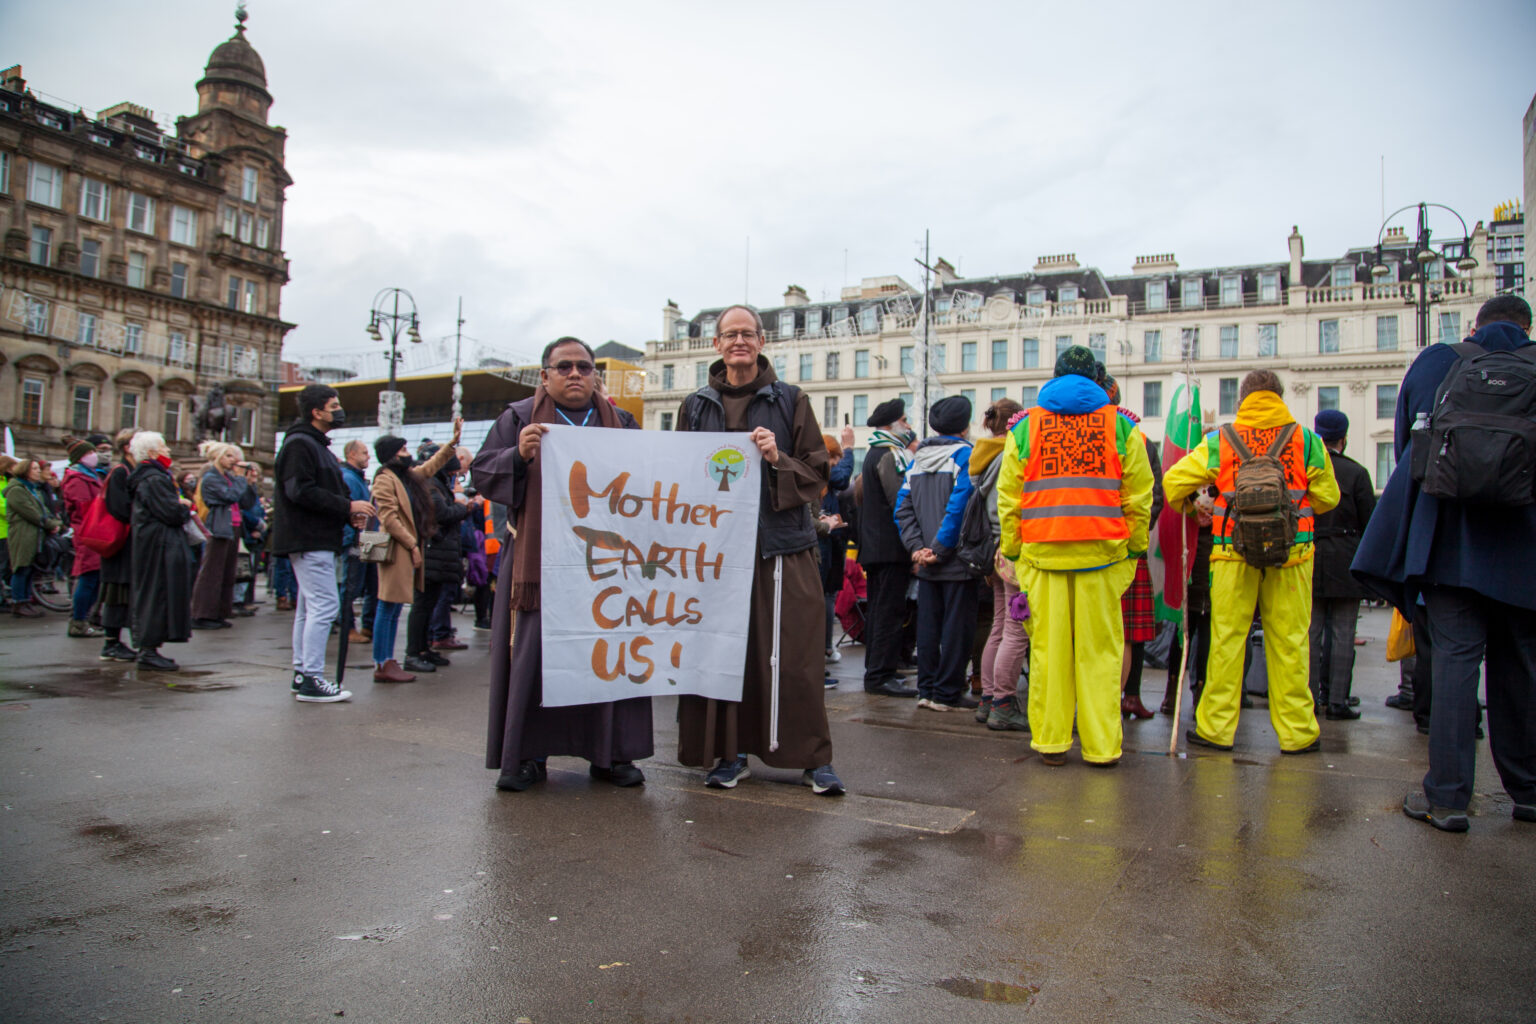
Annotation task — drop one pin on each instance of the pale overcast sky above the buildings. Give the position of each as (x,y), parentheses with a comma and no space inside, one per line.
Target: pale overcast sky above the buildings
(571,168)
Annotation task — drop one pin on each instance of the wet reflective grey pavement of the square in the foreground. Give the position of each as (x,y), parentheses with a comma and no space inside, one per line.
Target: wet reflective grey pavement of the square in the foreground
(202,848)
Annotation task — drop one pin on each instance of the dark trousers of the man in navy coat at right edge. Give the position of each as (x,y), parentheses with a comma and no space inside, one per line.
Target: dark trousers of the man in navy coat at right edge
(1469,630)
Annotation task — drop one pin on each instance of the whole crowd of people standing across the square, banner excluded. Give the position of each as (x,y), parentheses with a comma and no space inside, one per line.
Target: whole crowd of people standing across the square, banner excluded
(1005,576)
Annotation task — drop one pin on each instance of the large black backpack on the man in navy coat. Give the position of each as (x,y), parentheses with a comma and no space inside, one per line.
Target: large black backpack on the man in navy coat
(1480,446)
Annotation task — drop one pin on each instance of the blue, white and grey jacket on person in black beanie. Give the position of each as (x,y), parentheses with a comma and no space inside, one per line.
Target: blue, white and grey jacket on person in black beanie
(932,504)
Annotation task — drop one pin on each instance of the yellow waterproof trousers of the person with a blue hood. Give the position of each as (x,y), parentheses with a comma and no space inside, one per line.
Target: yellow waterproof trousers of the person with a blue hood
(1076,646)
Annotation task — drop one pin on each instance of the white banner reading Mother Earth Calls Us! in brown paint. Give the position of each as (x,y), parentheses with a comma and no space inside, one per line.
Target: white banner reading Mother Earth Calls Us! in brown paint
(647,566)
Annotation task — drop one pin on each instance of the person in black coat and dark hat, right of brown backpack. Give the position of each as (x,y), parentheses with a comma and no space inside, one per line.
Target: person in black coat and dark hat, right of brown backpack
(1336,593)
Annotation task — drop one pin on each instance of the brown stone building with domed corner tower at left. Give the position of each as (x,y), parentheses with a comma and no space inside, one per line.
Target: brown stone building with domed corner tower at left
(142,271)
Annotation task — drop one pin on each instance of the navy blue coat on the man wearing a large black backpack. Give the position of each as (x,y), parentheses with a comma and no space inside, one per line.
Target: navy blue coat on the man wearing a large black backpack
(1415,541)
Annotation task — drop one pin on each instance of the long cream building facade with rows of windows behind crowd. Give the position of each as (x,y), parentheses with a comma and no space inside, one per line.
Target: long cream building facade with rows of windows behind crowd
(1339,335)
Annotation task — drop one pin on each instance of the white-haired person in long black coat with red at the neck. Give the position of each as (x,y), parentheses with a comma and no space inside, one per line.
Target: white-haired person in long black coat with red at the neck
(162,592)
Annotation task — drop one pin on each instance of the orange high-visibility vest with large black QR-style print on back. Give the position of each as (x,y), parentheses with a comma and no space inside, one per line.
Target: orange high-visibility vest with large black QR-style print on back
(1073,477)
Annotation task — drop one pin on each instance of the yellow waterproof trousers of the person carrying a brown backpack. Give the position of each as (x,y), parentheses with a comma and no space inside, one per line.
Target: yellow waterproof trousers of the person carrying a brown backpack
(1285,604)
